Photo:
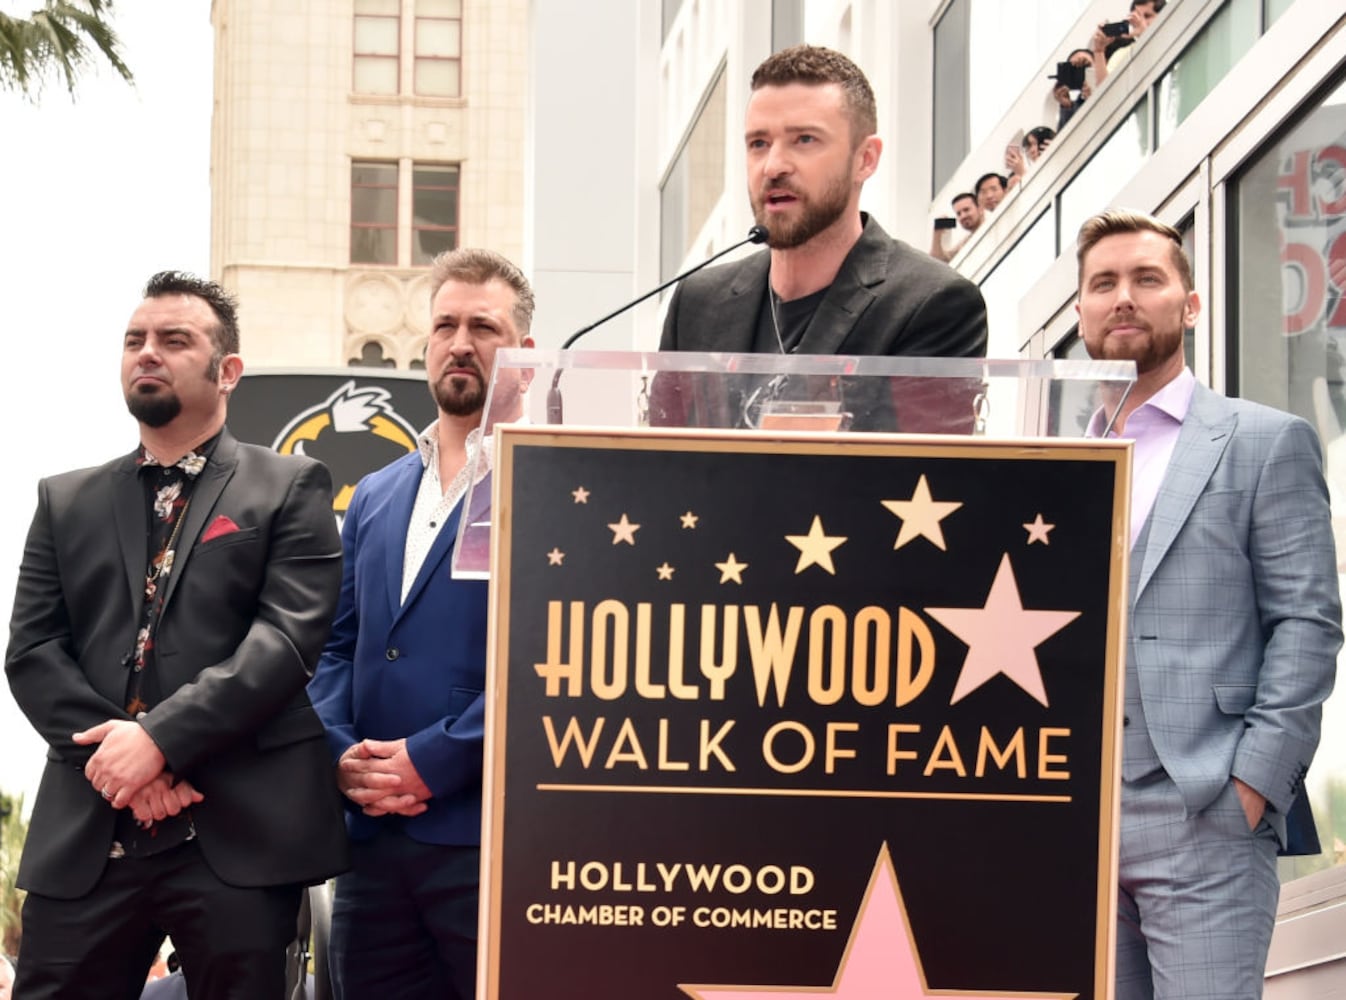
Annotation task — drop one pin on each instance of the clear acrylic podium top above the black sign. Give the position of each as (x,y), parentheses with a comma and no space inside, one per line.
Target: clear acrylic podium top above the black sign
(765,395)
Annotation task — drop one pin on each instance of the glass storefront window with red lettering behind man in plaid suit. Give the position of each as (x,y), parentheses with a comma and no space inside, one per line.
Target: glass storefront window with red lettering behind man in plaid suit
(1291,353)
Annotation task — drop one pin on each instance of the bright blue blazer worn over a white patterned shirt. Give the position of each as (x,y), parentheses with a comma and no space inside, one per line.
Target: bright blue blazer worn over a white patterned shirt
(415,670)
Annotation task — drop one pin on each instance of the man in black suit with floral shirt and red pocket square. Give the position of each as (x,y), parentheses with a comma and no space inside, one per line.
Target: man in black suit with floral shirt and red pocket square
(169,612)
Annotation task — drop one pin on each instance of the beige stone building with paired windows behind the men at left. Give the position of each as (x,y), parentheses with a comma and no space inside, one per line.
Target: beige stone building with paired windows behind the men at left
(353,141)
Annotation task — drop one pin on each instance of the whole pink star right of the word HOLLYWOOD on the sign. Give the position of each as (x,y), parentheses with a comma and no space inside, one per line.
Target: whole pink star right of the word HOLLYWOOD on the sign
(1002,637)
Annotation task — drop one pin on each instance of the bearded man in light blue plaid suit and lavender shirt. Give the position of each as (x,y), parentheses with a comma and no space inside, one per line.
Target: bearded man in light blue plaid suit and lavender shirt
(1235,627)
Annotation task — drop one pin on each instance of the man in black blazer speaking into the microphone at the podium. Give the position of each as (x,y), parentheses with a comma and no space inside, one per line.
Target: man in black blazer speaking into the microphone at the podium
(834,282)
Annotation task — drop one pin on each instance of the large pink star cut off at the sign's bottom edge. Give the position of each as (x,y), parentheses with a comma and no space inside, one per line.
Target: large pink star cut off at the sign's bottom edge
(881,960)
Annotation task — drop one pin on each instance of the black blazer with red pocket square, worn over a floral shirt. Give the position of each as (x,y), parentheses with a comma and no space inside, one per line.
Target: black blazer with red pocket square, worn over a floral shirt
(244,620)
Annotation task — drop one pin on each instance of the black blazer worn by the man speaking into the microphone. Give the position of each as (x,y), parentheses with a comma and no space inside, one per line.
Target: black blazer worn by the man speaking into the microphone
(889,299)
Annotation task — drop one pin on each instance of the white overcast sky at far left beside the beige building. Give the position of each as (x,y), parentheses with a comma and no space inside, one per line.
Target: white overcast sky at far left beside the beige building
(99,194)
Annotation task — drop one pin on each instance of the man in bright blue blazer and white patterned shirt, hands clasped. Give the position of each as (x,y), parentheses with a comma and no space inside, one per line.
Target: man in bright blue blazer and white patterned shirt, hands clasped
(400,686)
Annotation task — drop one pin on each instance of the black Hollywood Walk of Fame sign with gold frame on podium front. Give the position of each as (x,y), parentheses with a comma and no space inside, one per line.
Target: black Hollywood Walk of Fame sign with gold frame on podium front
(781,718)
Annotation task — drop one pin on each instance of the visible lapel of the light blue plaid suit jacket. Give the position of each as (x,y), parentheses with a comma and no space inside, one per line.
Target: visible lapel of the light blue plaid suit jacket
(1201,443)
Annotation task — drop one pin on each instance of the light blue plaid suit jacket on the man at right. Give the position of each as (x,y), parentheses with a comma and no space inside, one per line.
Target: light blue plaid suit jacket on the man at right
(1236,618)
